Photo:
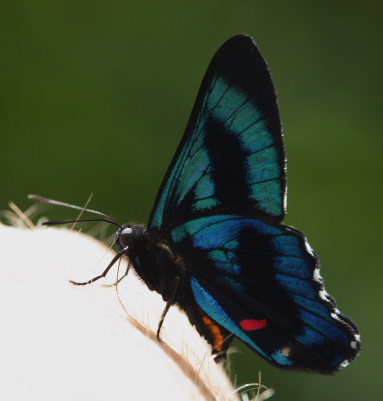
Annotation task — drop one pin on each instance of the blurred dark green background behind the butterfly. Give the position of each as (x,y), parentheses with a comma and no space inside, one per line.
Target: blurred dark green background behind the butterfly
(95,96)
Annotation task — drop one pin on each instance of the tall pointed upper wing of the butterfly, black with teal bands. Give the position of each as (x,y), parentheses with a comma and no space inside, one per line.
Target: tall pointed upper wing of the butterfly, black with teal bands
(231,158)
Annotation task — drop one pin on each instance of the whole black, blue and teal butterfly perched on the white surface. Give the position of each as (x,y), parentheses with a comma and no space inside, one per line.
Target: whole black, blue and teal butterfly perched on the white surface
(215,244)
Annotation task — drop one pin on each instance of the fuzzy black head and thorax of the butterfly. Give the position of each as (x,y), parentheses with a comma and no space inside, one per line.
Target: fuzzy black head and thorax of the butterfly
(154,261)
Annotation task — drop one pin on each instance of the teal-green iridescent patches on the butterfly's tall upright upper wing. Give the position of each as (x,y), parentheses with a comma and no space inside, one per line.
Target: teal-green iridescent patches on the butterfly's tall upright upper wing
(230,106)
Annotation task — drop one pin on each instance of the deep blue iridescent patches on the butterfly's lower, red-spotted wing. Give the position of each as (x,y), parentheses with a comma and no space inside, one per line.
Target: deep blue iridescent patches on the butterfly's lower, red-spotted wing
(217,236)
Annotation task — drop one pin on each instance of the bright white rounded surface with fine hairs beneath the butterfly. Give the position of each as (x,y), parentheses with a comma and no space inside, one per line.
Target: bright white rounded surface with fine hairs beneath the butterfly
(61,342)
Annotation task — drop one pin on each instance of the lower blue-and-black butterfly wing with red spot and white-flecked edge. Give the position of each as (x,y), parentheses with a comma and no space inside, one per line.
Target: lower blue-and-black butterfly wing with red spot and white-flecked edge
(261,282)
